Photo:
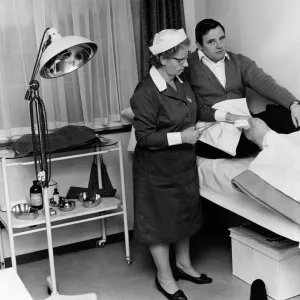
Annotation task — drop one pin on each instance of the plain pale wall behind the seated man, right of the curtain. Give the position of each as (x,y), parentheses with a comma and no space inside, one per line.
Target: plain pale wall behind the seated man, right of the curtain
(267,31)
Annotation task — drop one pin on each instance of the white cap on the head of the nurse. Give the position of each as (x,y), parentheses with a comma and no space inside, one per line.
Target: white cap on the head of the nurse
(167,39)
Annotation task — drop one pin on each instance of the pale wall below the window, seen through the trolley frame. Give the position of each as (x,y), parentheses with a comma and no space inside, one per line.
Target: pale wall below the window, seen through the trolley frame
(67,173)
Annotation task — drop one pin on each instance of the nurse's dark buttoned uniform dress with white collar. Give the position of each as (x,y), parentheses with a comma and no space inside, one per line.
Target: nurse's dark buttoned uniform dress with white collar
(167,205)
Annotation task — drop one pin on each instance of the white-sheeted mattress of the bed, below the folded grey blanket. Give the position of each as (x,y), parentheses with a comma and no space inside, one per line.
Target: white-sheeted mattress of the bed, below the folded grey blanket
(215,177)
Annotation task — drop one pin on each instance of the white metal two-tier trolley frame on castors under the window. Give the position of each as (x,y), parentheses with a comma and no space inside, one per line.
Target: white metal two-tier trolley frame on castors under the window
(108,207)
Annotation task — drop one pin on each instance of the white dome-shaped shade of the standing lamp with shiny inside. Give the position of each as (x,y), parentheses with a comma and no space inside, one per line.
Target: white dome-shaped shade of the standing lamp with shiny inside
(65,54)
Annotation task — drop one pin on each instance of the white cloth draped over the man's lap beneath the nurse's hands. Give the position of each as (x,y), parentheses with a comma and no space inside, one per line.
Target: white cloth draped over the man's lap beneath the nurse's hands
(222,135)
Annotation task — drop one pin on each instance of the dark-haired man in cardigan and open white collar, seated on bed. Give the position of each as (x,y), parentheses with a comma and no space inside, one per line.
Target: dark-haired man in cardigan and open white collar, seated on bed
(216,75)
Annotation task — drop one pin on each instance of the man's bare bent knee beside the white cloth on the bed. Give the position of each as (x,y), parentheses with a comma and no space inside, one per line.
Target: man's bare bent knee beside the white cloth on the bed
(257,131)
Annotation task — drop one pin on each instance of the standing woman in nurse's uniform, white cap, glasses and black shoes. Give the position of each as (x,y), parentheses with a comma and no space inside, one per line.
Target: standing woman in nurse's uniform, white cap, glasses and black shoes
(167,205)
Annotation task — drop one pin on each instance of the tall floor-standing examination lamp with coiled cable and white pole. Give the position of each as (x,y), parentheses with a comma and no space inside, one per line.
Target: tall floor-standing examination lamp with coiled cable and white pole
(57,56)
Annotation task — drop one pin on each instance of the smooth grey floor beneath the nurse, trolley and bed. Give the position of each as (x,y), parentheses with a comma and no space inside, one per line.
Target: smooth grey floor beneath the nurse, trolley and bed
(105,272)
